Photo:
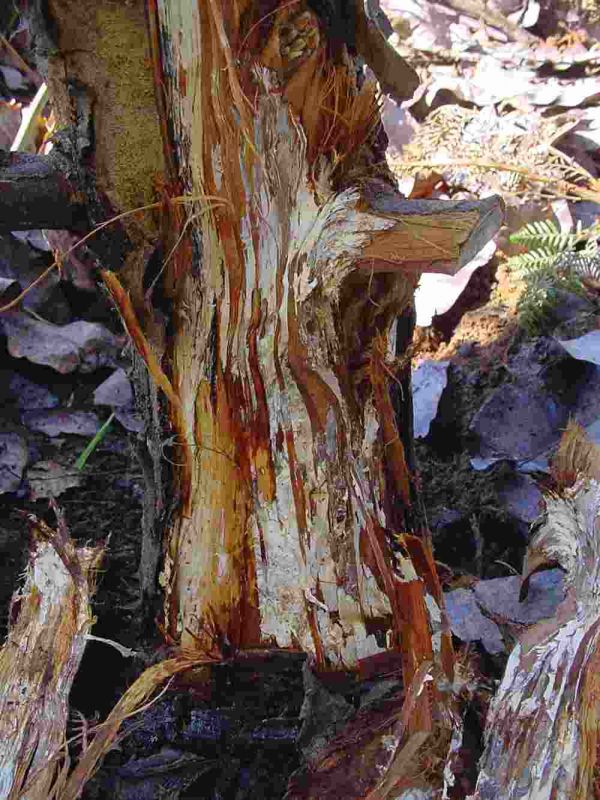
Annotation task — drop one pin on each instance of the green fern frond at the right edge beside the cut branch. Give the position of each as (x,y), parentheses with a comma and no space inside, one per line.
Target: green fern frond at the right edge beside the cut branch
(554,263)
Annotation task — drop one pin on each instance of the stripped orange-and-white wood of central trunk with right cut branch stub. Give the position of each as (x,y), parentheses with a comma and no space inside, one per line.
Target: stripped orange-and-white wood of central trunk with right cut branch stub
(305,266)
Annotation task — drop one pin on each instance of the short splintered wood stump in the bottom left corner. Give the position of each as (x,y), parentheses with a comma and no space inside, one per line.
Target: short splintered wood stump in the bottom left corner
(38,662)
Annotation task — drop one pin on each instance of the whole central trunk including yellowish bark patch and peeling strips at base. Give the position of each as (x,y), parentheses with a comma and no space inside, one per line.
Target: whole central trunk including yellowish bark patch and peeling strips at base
(283,277)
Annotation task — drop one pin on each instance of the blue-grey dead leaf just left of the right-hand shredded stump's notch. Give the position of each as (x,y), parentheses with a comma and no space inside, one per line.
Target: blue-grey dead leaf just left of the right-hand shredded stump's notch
(500,596)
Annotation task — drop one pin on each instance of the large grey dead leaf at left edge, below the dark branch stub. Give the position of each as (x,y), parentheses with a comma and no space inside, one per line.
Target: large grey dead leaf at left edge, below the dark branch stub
(83,346)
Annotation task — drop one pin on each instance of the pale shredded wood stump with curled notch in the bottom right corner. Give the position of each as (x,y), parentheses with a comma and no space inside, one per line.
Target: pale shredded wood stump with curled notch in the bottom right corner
(541,737)
